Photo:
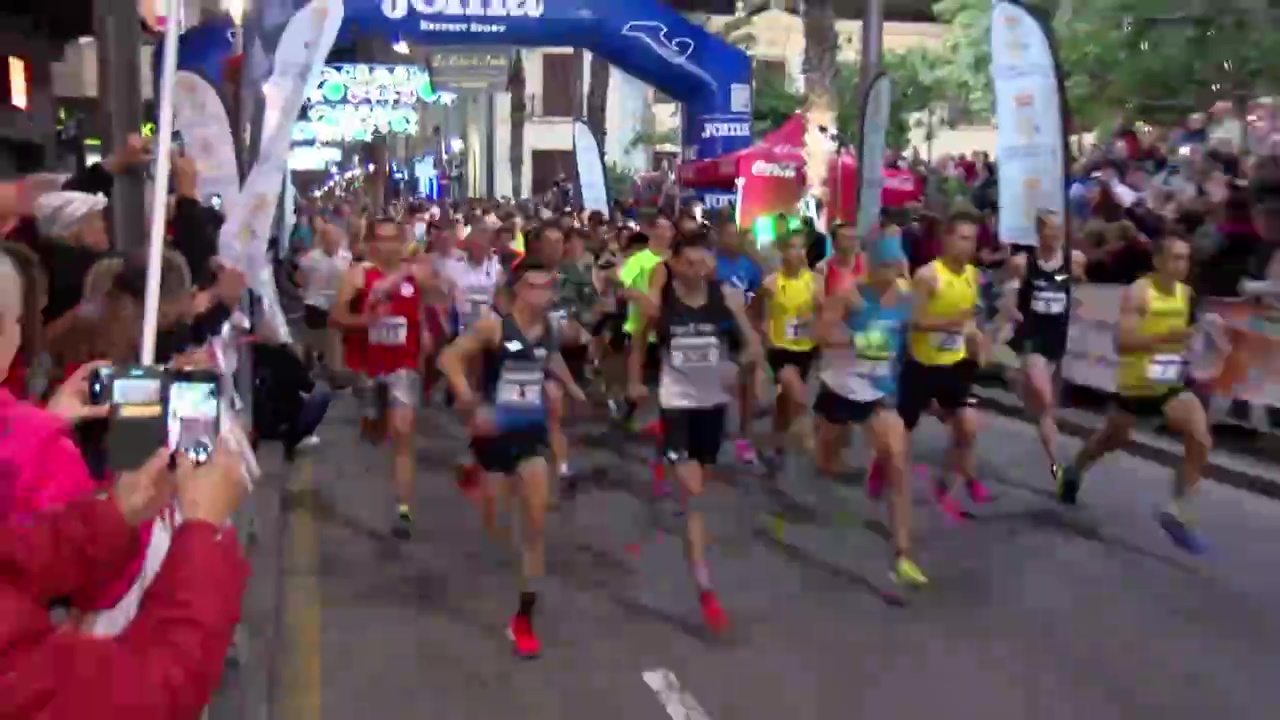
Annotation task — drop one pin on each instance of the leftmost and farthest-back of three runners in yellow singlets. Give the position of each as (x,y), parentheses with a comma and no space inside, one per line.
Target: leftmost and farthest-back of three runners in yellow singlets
(792,297)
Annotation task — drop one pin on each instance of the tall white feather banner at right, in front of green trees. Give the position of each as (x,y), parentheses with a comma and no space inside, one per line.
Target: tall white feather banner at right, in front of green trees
(1030,134)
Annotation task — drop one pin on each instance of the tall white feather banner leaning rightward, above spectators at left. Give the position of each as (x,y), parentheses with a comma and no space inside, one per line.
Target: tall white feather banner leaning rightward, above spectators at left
(300,54)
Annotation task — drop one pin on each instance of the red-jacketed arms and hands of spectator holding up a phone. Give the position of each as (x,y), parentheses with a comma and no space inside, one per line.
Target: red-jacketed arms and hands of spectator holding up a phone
(168,663)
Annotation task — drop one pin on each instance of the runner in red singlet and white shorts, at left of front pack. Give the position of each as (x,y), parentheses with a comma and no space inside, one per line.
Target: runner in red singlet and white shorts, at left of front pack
(390,298)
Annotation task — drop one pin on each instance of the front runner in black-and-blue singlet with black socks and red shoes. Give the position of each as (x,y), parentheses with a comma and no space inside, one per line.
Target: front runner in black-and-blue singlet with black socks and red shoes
(516,352)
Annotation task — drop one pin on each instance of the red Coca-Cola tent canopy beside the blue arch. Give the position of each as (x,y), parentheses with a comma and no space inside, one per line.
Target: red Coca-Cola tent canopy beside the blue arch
(779,152)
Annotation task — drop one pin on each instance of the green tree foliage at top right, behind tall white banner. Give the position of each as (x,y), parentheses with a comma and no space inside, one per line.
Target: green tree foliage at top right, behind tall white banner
(1148,60)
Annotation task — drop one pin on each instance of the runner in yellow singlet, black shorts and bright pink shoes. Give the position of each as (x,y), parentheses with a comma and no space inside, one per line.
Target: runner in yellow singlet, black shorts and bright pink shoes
(945,349)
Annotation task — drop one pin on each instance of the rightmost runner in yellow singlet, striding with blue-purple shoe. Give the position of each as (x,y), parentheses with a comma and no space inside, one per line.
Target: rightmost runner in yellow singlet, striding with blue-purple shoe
(1156,323)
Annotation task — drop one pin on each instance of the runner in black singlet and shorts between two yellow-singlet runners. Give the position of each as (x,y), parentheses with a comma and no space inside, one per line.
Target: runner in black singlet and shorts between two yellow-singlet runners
(1039,298)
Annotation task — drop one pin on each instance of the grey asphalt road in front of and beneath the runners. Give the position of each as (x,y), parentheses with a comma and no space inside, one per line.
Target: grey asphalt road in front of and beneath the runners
(1034,612)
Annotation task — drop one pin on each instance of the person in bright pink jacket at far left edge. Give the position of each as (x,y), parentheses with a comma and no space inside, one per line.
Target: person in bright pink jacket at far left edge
(40,467)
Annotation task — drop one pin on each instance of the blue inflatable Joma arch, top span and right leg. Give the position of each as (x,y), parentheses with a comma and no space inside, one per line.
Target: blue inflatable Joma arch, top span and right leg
(642,38)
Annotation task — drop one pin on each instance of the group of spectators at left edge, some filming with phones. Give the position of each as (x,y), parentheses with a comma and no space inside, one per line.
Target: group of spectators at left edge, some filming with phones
(120,593)
